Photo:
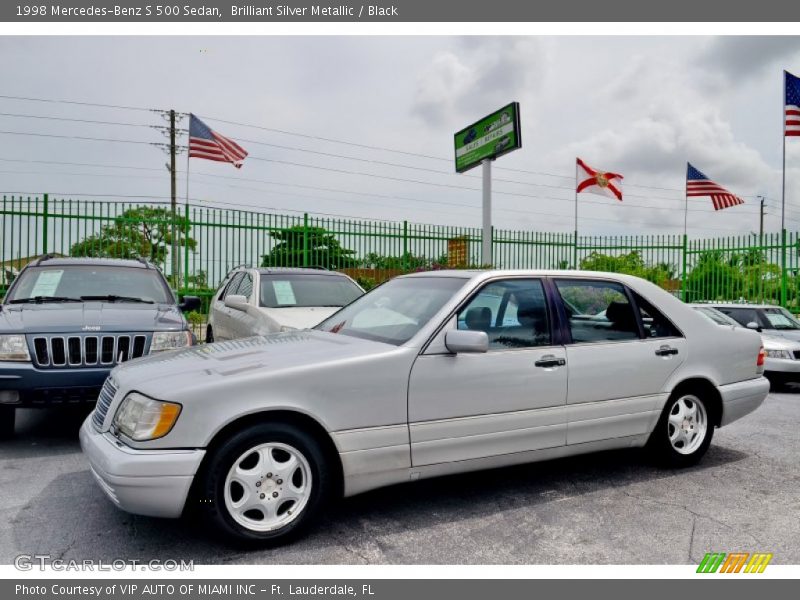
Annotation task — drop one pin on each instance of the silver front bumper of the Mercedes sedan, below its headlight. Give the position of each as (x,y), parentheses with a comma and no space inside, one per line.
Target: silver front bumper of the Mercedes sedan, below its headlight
(154,483)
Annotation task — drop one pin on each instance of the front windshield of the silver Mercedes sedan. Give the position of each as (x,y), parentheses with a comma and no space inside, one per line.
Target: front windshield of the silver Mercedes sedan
(394,312)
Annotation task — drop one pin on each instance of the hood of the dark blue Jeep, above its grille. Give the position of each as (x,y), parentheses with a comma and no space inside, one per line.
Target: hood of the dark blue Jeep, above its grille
(101,317)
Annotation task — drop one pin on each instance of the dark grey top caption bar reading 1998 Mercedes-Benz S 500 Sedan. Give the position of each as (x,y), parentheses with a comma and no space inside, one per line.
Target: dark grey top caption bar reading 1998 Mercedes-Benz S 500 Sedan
(463,11)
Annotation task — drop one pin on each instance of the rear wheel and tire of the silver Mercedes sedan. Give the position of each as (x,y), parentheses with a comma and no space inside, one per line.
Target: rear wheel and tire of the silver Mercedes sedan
(683,432)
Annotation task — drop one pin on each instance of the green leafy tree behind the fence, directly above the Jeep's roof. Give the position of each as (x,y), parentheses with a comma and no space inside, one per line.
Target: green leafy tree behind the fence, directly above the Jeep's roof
(141,232)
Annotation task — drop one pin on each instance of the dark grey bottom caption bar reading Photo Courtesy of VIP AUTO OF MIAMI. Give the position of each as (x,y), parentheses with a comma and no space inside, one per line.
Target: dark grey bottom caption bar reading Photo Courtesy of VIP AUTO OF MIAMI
(394,589)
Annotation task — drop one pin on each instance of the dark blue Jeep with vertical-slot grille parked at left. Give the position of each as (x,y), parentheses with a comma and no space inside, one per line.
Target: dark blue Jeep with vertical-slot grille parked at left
(66,322)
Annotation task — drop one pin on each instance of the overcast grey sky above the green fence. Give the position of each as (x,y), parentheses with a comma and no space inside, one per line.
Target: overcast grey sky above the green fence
(363,126)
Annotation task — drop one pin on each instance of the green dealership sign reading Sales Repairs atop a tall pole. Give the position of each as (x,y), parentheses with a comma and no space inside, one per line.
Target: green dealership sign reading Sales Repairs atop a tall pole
(492,136)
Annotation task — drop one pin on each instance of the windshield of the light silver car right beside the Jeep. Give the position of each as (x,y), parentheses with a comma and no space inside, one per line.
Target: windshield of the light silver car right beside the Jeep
(290,290)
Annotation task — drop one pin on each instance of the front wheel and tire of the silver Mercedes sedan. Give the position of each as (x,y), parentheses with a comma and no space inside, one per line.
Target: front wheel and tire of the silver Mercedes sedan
(266,484)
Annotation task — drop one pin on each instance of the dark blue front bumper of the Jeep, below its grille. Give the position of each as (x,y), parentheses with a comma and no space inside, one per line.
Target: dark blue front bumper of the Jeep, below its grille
(29,386)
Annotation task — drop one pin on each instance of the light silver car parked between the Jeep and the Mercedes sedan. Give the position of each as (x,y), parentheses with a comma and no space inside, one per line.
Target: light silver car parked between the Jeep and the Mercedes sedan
(270,300)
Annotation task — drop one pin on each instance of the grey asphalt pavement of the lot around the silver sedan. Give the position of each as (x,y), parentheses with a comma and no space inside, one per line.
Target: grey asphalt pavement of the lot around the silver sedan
(607,508)
